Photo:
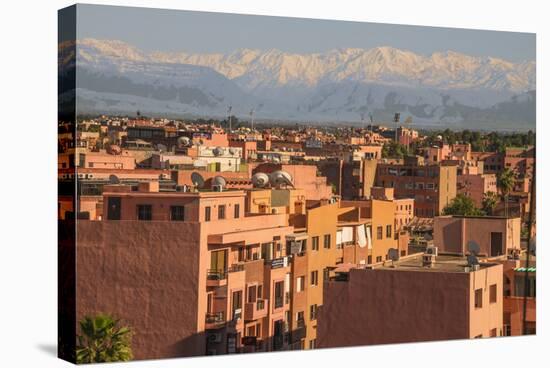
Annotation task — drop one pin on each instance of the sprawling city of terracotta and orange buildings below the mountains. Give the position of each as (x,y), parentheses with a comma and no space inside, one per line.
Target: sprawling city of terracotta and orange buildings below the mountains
(241,239)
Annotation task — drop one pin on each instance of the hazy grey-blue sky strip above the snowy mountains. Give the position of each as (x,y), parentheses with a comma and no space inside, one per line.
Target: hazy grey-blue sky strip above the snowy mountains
(176,30)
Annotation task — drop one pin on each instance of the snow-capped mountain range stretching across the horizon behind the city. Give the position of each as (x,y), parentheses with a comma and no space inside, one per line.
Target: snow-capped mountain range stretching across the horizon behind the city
(333,86)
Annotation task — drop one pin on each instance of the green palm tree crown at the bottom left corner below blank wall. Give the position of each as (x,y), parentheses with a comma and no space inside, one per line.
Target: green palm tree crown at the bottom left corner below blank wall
(102,340)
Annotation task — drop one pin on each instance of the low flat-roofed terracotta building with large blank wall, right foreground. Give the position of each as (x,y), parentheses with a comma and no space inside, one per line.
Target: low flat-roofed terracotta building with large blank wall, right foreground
(411,301)
